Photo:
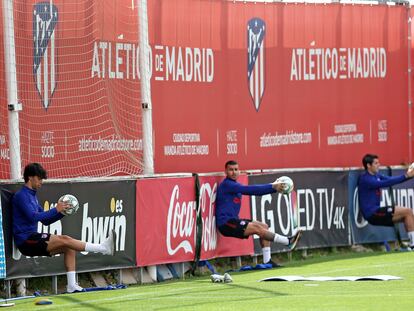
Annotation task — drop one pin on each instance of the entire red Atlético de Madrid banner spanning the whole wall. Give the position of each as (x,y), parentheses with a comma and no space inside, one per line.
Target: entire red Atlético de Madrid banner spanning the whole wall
(266,84)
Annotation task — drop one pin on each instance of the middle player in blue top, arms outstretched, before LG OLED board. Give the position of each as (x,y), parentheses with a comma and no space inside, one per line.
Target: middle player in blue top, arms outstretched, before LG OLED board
(228,203)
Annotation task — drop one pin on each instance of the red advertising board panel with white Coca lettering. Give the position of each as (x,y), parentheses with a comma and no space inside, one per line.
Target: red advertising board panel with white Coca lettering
(165,220)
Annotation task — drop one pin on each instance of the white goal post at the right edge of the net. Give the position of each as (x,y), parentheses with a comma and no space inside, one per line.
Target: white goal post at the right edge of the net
(144,59)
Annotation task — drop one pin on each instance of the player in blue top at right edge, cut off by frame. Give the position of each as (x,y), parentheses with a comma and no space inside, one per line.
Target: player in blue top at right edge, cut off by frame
(369,193)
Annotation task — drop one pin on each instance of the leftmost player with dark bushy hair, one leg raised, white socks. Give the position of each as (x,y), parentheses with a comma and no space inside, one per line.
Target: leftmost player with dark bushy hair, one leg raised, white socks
(27,213)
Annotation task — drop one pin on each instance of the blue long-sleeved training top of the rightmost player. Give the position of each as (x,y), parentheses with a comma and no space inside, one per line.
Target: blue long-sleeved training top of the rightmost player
(369,190)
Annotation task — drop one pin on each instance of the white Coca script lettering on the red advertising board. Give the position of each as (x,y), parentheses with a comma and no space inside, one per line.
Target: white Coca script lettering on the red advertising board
(180,224)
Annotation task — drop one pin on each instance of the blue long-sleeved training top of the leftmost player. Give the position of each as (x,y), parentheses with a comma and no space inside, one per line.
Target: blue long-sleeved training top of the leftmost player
(27,213)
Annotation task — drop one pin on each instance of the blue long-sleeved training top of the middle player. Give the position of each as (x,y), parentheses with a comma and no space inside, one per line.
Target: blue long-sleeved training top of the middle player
(229,195)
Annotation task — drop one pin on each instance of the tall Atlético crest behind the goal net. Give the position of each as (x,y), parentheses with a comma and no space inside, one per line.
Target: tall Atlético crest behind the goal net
(45,18)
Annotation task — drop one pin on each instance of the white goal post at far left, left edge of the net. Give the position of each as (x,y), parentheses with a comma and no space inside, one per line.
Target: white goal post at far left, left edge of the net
(11,81)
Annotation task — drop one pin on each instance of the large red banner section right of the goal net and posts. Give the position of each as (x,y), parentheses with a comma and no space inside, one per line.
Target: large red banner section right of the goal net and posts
(278,85)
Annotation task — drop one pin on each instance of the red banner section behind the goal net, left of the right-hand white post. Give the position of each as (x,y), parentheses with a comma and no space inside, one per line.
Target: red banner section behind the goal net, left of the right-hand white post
(77,73)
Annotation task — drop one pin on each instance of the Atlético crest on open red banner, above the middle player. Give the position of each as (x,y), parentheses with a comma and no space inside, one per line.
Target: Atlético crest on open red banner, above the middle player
(256,30)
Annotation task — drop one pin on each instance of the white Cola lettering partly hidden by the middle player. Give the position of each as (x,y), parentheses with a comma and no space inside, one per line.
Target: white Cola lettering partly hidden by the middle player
(207,205)
